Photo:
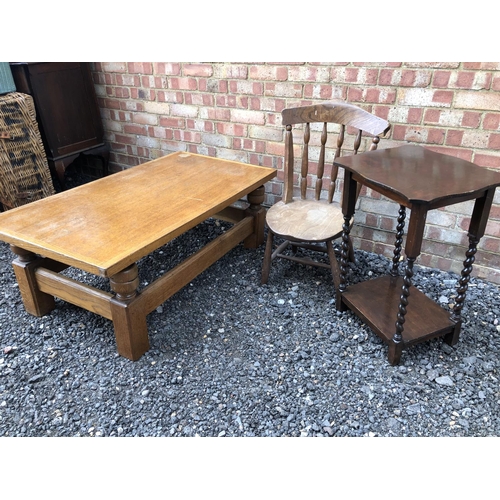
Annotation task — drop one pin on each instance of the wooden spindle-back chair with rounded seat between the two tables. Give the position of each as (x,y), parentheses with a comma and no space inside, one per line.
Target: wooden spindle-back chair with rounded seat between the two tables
(313,221)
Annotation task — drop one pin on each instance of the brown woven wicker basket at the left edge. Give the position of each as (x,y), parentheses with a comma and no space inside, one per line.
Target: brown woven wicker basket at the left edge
(24,171)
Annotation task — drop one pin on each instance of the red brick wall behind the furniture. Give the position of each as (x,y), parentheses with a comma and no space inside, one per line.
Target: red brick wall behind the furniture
(232,110)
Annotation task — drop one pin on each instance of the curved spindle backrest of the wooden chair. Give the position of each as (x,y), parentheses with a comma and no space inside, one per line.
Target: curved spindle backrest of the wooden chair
(339,112)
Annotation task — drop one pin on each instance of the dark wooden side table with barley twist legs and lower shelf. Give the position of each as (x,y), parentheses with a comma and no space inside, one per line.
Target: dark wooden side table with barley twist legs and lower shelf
(420,180)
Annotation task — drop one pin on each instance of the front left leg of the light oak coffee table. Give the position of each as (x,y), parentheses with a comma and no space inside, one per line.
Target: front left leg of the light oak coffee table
(35,302)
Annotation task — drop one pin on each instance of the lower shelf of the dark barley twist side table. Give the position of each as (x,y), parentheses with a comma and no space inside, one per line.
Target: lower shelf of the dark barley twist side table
(376,302)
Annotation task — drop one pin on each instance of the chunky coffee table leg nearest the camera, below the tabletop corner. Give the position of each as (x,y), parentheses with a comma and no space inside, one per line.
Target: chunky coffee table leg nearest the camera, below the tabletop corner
(129,318)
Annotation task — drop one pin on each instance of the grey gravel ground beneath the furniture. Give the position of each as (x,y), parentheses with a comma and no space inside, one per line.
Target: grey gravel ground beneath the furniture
(232,357)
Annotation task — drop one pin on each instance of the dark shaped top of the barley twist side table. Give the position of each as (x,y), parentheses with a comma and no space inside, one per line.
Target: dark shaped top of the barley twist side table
(414,174)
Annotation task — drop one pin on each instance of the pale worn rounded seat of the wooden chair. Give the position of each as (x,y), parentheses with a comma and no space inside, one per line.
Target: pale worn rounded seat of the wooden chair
(307,220)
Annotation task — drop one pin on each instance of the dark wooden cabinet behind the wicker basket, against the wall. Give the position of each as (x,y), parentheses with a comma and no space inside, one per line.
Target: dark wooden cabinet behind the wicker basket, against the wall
(67,111)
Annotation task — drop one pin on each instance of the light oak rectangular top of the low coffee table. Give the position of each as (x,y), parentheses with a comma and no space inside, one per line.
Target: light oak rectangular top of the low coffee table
(106,225)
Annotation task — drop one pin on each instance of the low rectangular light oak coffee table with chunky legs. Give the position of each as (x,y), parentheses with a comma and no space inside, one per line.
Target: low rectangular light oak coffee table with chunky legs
(105,226)
